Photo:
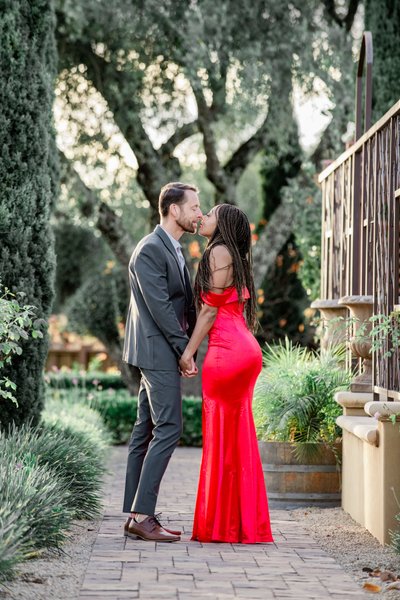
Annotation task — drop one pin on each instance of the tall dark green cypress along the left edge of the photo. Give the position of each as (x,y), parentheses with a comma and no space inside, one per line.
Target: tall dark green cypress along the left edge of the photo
(28,182)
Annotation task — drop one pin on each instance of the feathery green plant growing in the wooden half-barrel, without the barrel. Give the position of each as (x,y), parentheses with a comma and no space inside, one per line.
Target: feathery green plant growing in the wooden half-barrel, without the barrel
(294,396)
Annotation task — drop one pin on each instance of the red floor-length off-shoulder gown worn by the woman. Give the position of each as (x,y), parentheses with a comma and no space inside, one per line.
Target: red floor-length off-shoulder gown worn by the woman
(231,503)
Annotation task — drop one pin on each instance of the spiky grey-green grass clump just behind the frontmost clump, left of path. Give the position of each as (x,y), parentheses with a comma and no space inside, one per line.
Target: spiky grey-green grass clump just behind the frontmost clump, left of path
(71,455)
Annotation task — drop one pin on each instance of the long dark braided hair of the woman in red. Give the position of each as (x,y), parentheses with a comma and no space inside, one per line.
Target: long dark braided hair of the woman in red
(232,231)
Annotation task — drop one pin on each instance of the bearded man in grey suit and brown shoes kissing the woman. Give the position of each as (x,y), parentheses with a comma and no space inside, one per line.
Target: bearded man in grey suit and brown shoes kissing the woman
(160,320)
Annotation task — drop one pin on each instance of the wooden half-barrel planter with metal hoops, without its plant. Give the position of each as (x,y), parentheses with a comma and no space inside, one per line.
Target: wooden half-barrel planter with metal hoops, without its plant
(292,483)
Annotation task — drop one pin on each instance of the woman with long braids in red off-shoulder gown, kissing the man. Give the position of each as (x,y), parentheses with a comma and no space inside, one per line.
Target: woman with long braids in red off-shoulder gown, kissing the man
(231,503)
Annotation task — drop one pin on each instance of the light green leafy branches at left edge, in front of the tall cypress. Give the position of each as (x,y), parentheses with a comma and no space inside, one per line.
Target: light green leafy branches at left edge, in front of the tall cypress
(16,322)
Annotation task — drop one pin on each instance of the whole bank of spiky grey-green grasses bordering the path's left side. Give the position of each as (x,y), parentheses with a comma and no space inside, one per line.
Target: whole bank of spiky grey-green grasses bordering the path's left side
(49,474)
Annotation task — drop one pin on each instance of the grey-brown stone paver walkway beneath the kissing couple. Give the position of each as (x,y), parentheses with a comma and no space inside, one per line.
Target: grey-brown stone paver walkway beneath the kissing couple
(294,567)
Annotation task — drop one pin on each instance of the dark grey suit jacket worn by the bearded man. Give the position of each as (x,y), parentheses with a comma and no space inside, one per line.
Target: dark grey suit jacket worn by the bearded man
(161,305)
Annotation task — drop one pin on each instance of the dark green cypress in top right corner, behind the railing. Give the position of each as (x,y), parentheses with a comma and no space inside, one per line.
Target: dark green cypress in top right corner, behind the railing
(382,18)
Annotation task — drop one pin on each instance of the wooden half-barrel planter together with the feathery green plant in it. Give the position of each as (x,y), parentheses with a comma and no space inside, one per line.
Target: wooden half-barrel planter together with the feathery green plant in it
(295,416)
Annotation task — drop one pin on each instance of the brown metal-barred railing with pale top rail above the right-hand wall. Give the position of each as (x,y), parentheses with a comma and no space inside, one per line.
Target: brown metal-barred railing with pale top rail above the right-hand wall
(361,223)
